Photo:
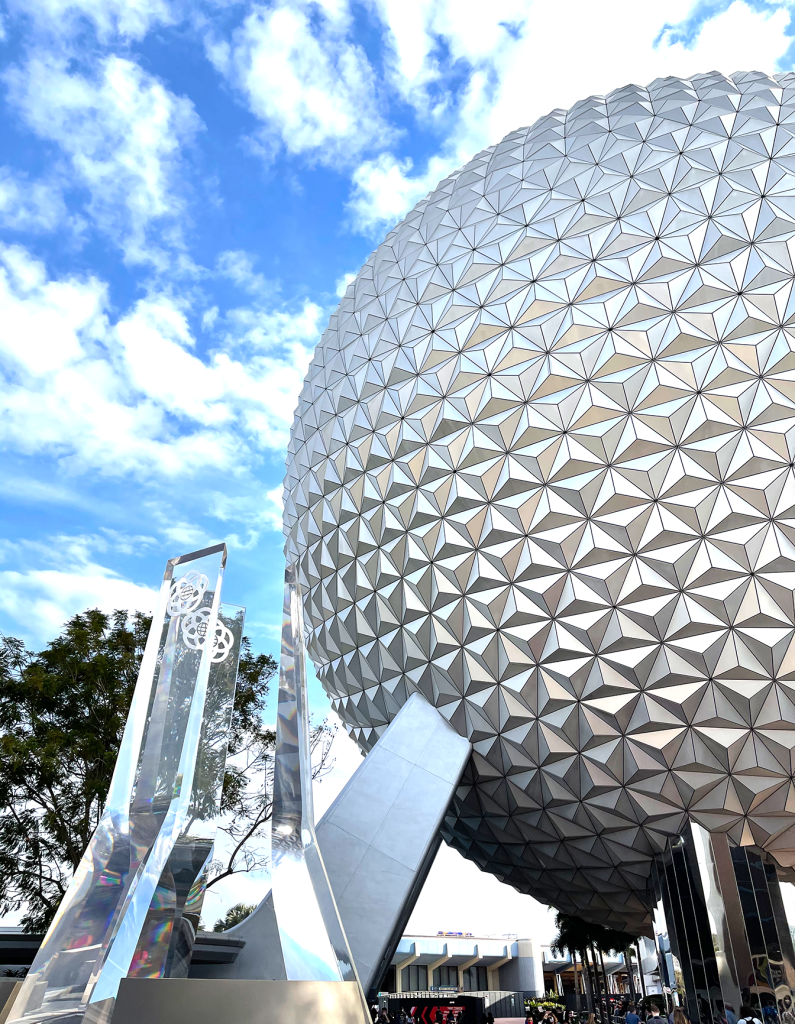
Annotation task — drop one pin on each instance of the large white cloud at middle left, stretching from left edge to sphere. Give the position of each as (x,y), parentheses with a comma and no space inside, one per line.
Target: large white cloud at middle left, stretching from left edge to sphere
(136,397)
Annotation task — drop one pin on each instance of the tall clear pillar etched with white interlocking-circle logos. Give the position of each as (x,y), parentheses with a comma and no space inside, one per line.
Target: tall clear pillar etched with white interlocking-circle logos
(134,905)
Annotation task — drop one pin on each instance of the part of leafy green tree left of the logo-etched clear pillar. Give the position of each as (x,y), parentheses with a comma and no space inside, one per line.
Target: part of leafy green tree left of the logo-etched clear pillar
(62,716)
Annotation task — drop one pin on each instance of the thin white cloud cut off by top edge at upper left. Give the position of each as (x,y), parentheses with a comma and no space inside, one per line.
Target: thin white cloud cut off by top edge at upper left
(128,19)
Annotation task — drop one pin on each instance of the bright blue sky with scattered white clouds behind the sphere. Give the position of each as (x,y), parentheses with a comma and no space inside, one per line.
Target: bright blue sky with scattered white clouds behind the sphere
(185,190)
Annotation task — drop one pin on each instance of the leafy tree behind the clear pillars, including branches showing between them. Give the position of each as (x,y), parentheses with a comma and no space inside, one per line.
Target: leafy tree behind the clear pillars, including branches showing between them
(62,717)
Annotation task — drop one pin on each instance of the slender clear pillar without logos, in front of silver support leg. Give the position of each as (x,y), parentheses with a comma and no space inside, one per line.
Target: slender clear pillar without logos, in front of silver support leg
(313,940)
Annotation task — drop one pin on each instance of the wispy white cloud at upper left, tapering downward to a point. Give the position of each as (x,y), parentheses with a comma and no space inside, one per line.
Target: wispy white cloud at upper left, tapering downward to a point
(123,133)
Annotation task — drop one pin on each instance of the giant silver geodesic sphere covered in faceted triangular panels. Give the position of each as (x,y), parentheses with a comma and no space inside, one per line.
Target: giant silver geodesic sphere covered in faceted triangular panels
(542,472)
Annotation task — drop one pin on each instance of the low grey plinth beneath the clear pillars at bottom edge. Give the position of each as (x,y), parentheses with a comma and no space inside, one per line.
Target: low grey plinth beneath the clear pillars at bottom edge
(196,1001)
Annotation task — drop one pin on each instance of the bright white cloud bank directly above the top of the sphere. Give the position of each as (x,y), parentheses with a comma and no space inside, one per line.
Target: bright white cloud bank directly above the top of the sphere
(516,77)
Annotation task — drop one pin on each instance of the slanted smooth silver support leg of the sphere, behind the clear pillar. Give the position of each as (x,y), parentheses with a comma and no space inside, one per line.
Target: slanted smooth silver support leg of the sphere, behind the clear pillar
(401,793)
